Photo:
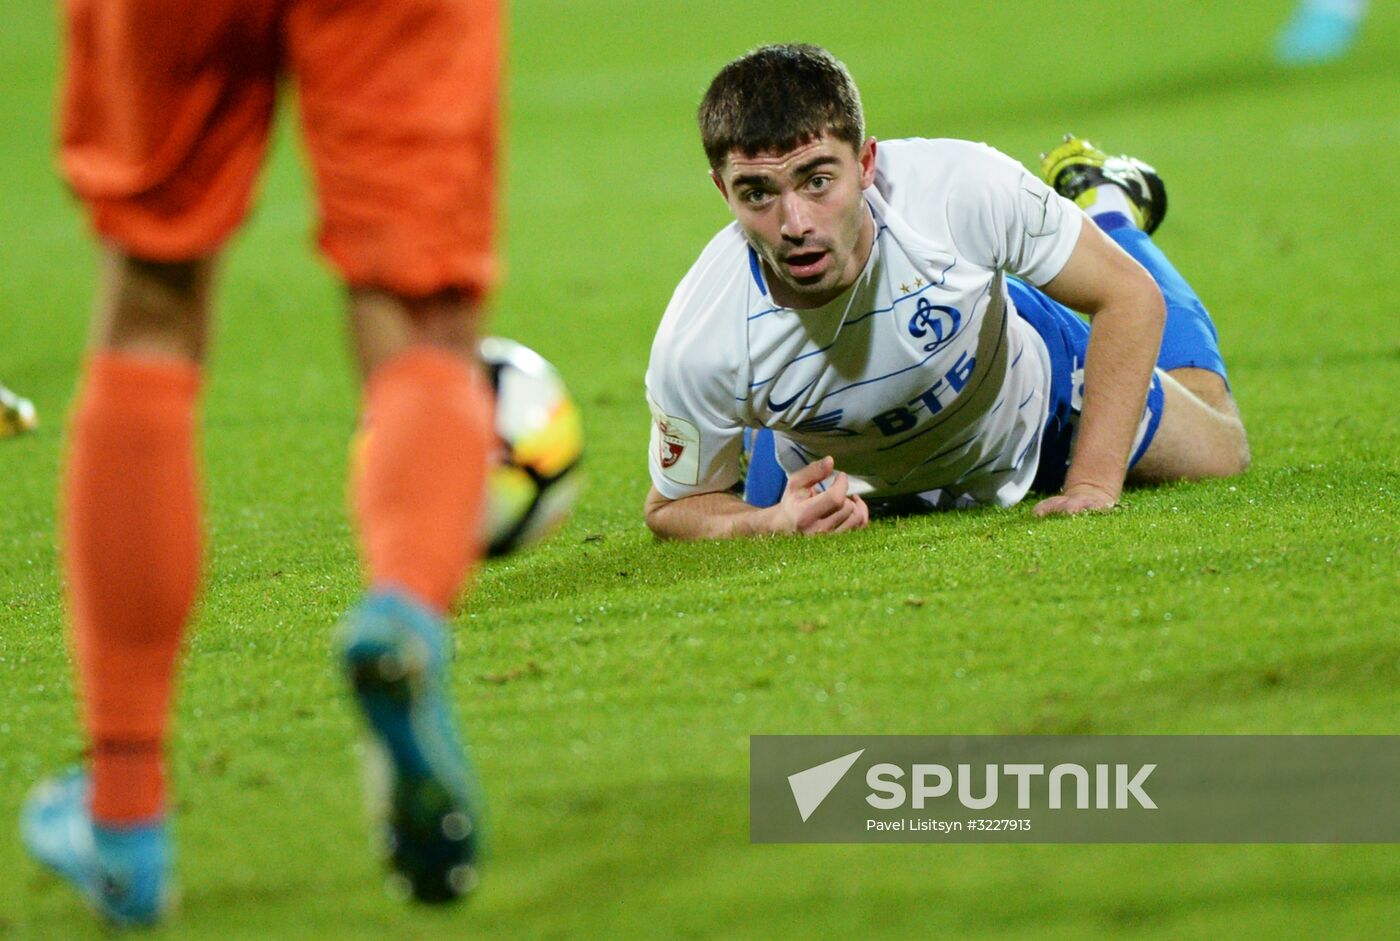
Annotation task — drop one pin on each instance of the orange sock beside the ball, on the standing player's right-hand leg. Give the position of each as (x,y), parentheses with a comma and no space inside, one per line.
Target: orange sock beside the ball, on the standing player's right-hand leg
(421,475)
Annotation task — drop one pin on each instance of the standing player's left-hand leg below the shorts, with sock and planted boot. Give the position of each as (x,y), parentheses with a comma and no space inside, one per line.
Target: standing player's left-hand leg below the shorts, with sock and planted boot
(132,554)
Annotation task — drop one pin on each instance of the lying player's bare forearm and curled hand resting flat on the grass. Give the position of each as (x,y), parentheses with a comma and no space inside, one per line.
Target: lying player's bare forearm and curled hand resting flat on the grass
(724,516)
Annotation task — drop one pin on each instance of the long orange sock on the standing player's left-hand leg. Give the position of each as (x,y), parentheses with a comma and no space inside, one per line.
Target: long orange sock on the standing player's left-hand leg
(132,554)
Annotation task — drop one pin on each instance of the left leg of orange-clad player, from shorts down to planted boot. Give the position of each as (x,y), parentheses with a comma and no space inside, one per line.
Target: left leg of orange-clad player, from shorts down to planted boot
(166,111)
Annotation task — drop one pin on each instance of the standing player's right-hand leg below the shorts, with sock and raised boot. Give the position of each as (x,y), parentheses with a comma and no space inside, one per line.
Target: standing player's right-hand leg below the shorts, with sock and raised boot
(418,487)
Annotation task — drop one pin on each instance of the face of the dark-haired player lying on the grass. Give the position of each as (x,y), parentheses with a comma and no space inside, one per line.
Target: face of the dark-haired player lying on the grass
(804,214)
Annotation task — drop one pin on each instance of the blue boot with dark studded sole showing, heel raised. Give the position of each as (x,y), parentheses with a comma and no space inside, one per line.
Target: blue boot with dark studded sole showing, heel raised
(395,656)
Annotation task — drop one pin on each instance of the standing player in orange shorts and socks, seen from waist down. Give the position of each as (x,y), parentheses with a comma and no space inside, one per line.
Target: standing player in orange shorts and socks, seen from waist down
(166,118)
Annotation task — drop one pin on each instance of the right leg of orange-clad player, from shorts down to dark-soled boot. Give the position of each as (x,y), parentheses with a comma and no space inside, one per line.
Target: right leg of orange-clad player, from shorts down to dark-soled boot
(400,111)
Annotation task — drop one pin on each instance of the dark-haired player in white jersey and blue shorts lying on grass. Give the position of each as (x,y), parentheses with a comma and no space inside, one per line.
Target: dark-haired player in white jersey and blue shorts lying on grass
(895,323)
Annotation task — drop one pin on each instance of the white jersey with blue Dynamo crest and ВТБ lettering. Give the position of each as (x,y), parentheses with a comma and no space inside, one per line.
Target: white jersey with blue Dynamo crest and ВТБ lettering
(919,379)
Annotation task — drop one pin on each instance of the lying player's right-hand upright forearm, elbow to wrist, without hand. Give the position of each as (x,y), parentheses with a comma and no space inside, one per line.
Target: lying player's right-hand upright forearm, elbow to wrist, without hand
(1123,345)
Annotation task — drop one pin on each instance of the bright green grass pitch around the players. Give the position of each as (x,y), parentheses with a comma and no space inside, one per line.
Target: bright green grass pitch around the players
(610,683)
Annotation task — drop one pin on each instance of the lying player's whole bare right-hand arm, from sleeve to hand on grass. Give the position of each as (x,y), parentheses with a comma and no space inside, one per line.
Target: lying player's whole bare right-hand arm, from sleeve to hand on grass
(1126,313)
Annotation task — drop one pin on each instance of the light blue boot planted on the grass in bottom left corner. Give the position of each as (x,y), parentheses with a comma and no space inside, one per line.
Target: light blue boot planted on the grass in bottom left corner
(124,873)
